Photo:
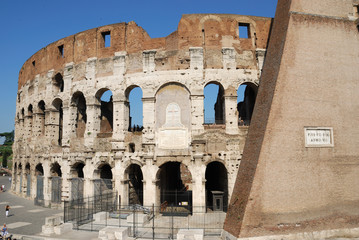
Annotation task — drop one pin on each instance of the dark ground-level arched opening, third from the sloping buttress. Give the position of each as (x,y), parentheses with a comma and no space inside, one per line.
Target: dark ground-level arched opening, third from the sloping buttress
(135,185)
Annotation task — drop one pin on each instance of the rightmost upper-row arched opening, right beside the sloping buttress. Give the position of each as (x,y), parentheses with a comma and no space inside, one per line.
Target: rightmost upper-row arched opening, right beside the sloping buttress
(247,93)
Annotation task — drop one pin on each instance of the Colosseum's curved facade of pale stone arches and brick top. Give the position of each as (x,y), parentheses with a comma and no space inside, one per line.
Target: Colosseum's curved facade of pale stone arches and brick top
(76,134)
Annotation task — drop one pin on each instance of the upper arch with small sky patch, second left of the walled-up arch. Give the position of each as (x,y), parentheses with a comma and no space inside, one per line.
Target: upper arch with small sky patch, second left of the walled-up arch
(105,98)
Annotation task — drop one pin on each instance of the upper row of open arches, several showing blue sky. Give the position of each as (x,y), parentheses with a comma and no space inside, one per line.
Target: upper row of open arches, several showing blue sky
(214,110)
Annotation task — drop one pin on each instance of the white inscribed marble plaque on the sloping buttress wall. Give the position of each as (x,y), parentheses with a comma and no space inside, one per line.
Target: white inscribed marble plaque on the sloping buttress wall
(318,137)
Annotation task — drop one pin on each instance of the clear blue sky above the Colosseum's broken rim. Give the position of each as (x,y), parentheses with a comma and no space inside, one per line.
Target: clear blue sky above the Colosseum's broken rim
(28,26)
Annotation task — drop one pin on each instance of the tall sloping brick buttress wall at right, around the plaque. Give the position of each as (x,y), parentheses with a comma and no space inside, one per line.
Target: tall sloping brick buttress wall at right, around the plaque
(309,79)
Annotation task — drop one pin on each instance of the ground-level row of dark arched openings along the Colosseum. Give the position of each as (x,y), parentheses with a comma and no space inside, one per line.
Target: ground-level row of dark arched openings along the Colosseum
(174,182)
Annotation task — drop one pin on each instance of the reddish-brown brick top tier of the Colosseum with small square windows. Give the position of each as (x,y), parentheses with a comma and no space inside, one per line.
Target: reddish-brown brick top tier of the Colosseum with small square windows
(212,32)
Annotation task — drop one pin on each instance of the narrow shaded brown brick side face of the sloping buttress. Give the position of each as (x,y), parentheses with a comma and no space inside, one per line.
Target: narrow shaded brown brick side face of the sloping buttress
(248,168)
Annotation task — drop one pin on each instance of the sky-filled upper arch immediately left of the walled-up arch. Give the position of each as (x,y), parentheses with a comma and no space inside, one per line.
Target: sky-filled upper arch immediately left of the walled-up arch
(134,98)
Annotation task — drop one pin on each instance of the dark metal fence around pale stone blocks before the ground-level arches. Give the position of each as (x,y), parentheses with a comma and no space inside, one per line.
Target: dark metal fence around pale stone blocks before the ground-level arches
(153,222)
